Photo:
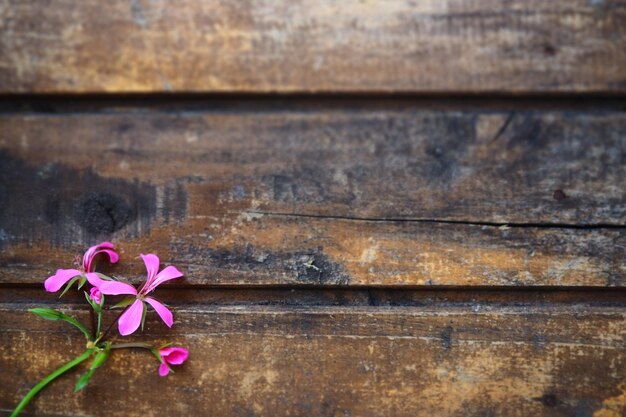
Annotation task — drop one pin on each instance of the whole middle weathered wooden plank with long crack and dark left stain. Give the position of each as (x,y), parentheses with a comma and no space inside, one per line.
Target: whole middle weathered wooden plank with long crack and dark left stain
(322,197)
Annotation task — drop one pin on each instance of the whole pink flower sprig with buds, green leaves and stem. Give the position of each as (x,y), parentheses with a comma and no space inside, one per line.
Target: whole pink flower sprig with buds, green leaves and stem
(134,305)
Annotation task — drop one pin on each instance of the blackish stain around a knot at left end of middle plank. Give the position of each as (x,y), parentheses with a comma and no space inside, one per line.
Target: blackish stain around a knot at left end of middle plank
(54,199)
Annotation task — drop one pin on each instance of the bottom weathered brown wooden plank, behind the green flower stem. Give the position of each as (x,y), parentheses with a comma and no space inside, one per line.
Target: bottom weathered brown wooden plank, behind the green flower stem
(274,361)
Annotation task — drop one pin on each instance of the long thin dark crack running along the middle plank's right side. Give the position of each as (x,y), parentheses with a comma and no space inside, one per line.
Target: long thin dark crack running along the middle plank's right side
(539,225)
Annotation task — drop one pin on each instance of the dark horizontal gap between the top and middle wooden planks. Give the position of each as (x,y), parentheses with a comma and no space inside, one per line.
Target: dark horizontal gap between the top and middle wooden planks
(115,103)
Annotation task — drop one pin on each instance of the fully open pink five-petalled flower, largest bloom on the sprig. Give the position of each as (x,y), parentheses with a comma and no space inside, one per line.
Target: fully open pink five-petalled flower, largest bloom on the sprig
(131,318)
